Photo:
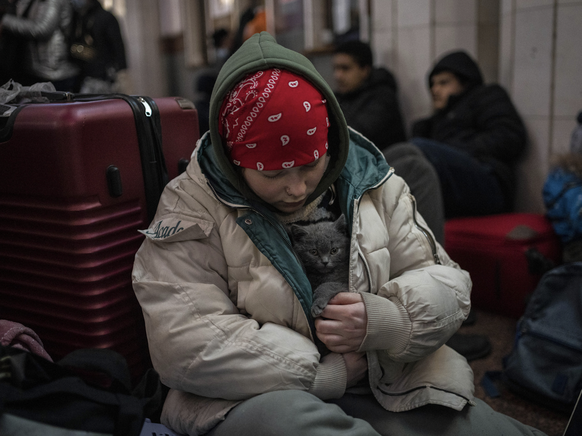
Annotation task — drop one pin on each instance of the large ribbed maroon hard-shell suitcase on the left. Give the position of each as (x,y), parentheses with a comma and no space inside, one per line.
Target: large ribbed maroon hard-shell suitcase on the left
(77,180)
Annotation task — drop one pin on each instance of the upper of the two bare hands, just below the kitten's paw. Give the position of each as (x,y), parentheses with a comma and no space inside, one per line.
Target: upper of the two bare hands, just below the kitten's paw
(343,322)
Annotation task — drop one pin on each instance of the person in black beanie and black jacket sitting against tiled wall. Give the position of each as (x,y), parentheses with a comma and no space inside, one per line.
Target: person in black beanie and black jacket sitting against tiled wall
(473,138)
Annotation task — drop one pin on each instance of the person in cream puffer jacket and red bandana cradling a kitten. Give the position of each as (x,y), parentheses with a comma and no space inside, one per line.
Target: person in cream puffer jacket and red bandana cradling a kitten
(226,301)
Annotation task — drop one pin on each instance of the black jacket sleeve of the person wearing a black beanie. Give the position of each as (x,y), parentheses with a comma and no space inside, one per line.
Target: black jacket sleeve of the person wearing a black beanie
(498,130)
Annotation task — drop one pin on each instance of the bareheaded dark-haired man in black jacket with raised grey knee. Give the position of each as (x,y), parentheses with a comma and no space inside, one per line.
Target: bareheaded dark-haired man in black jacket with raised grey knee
(369,101)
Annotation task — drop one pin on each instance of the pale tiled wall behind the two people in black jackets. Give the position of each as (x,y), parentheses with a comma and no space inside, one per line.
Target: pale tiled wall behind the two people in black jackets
(532,47)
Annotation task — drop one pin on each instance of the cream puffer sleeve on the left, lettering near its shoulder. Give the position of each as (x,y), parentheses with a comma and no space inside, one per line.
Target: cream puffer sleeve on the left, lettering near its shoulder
(201,343)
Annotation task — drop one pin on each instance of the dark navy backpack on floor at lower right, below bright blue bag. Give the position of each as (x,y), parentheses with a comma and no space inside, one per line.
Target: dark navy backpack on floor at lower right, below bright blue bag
(545,364)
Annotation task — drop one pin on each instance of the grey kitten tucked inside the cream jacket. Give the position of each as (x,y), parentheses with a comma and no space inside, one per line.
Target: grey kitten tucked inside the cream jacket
(324,250)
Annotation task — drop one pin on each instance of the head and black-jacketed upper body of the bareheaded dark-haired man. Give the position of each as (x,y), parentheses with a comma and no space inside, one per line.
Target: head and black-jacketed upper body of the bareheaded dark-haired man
(367,95)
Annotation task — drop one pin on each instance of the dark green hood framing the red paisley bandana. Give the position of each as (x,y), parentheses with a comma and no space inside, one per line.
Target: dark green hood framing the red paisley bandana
(260,52)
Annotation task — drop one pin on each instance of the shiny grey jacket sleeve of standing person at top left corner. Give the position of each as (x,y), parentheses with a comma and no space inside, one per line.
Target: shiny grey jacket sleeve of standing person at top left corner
(38,28)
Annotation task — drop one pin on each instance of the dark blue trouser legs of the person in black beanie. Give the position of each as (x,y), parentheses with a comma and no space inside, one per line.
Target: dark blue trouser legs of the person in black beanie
(469,187)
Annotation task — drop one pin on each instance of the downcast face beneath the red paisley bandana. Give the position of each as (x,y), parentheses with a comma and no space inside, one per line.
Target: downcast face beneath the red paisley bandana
(287,189)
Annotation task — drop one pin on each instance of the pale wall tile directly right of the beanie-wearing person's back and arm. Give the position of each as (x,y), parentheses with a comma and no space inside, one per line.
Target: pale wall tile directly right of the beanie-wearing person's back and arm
(533,168)
